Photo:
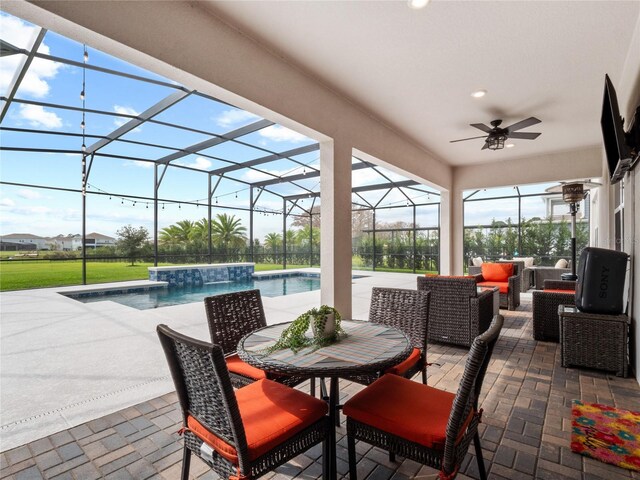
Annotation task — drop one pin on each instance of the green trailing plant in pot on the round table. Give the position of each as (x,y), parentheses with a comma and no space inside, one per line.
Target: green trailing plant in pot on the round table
(295,338)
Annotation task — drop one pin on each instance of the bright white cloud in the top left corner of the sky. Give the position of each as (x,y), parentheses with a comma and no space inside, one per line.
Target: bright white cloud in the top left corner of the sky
(35,82)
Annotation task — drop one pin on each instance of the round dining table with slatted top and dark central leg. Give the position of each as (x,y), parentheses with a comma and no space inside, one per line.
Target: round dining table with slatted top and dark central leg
(366,350)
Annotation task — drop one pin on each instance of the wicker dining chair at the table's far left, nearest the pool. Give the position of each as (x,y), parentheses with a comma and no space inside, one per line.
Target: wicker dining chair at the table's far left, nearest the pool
(231,316)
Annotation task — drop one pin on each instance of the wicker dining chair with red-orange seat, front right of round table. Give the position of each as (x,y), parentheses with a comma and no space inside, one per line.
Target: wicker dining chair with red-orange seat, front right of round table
(422,423)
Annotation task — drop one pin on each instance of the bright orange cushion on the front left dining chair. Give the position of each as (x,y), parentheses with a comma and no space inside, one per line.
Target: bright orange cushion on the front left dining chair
(271,414)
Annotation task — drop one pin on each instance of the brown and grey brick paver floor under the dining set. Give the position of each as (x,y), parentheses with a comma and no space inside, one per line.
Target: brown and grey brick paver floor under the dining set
(525,430)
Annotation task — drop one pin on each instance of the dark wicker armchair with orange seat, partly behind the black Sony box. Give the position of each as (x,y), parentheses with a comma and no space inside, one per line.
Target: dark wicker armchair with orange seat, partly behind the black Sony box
(546,326)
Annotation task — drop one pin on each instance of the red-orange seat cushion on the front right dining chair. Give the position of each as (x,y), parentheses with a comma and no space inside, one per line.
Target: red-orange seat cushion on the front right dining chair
(408,409)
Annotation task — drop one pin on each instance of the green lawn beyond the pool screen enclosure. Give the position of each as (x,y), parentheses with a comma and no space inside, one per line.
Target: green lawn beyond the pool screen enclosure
(39,274)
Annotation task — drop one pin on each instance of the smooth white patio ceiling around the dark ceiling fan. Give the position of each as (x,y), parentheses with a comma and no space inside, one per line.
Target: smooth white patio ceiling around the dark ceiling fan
(416,69)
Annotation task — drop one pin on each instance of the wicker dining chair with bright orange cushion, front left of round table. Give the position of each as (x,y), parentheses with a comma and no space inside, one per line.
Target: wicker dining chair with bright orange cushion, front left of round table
(240,434)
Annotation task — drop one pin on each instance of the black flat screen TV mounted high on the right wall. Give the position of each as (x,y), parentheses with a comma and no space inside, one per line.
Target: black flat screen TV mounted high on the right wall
(616,149)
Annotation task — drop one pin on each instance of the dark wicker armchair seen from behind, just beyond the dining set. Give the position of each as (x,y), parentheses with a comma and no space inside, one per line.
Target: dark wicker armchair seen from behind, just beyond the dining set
(457,312)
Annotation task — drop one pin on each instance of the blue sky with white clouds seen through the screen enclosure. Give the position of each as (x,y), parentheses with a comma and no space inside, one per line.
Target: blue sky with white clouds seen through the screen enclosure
(46,212)
